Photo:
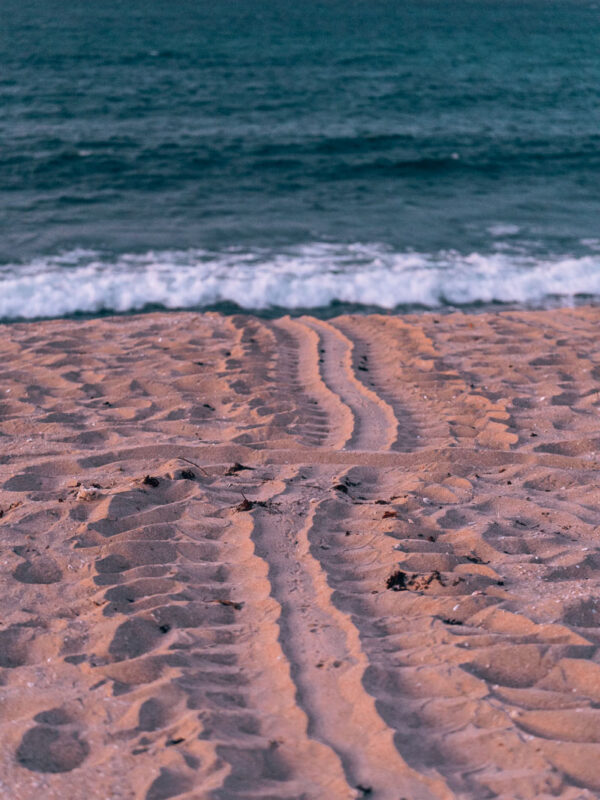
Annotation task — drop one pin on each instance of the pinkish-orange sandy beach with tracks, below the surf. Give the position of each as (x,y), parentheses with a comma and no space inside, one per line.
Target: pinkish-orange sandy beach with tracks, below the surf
(396,597)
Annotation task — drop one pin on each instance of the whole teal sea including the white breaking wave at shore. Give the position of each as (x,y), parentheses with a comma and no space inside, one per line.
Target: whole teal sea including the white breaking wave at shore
(281,156)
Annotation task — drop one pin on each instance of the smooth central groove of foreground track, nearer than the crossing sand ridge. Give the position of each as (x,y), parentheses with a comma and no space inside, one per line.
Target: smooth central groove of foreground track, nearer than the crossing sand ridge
(327,662)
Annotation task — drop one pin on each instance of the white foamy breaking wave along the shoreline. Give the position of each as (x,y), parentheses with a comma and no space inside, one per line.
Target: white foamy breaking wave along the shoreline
(305,277)
